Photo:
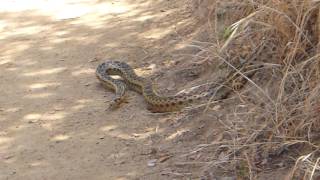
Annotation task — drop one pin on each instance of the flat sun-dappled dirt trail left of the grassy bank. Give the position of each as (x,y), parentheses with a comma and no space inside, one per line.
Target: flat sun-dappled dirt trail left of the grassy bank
(53,123)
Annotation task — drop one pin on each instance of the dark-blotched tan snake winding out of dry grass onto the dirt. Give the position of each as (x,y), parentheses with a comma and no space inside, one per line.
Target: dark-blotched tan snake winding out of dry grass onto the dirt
(145,86)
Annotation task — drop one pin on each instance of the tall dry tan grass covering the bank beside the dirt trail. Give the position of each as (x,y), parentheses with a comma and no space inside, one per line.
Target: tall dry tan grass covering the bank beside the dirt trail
(275,123)
